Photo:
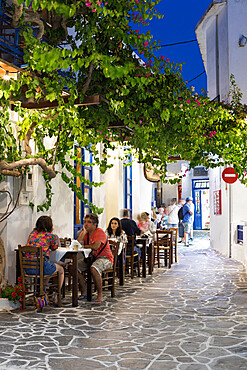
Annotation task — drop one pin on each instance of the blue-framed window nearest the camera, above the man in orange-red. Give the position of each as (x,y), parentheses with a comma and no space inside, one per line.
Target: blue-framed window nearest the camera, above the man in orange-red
(80,208)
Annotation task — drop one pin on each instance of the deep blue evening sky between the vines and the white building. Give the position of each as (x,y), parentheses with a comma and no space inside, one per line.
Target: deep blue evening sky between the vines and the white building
(178,24)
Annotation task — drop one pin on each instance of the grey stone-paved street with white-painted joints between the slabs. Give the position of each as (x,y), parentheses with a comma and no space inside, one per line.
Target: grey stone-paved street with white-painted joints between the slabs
(193,316)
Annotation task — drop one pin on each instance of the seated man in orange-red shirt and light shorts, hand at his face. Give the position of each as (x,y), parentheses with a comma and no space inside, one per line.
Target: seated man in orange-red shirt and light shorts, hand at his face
(94,238)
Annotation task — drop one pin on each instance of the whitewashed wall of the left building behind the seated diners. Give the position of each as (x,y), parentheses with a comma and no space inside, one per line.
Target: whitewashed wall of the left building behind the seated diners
(66,212)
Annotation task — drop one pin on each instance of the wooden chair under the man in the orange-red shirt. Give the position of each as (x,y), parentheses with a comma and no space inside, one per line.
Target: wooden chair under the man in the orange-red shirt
(108,276)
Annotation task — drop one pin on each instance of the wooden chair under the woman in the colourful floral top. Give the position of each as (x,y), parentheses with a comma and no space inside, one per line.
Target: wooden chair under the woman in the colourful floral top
(32,258)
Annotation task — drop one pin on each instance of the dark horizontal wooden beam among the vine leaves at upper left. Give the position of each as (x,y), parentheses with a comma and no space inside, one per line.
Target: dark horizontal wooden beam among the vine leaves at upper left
(88,100)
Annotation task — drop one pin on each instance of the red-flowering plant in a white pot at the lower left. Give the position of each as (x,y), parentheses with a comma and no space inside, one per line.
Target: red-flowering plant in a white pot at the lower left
(11,296)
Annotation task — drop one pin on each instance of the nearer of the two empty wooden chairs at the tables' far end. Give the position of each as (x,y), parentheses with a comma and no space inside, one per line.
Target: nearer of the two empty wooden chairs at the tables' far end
(164,246)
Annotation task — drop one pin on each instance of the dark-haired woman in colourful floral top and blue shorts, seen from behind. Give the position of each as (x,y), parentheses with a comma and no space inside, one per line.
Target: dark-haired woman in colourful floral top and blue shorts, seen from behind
(42,235)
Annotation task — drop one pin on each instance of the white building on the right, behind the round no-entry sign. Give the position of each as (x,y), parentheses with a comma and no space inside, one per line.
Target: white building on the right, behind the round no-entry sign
(222,37)
